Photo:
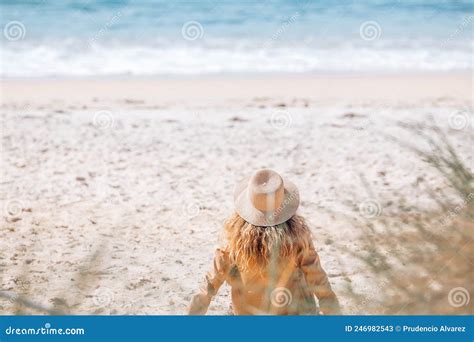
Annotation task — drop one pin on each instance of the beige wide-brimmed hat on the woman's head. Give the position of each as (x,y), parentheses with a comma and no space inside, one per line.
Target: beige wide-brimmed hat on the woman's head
(266,199)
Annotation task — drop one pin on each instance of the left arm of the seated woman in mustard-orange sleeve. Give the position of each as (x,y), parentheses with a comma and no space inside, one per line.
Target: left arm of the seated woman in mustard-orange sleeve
(212,283)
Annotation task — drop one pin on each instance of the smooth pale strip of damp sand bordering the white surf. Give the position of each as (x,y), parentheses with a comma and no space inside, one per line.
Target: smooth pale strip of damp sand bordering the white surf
(404,89)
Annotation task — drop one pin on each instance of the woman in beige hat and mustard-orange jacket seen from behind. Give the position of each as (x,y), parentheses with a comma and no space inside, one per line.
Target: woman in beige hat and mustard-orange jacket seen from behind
(269,259)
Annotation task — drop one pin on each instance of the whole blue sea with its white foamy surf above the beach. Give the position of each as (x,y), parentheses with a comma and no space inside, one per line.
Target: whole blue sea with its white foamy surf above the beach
(53,38)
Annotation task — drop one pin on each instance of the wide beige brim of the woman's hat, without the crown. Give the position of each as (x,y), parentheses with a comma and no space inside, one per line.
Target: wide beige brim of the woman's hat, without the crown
(245,208)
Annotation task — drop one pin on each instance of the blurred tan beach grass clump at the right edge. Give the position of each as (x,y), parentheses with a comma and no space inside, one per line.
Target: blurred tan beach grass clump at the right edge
(423,258)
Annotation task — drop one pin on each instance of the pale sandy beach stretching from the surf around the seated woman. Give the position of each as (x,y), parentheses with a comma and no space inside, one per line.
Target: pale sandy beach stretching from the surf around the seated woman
(142,171)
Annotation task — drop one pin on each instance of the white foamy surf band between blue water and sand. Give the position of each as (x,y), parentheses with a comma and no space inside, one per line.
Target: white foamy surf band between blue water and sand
(76,58)
